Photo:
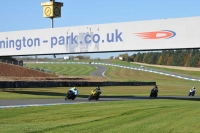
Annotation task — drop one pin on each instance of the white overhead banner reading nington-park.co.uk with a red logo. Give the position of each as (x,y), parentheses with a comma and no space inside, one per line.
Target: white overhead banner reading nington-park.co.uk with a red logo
(128,36)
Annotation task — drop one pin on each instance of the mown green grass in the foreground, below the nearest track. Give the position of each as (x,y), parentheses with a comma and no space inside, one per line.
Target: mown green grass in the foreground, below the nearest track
(147,116)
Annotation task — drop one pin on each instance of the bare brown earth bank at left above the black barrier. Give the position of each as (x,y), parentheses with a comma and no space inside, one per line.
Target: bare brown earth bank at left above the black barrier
(9,72)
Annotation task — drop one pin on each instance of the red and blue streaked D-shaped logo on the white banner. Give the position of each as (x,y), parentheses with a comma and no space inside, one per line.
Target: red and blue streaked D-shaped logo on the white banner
(164,34)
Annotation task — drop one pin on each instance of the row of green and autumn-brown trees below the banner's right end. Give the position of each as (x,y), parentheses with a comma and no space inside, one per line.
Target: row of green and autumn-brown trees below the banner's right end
(187,58)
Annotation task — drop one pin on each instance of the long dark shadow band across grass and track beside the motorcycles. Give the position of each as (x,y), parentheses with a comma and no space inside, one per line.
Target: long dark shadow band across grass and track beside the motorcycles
(128,97)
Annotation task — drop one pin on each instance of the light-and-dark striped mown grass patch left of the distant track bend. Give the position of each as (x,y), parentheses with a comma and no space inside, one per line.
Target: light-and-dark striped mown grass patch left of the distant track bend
(66,69)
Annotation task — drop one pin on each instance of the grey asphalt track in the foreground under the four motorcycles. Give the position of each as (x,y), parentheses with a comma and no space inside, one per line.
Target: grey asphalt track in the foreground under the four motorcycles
(49,102)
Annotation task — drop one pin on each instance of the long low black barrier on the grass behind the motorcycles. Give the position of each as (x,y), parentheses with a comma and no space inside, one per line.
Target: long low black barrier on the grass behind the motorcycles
(37,84)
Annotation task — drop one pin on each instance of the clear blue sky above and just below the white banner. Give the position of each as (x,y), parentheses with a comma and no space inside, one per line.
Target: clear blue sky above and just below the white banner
(28,15)
